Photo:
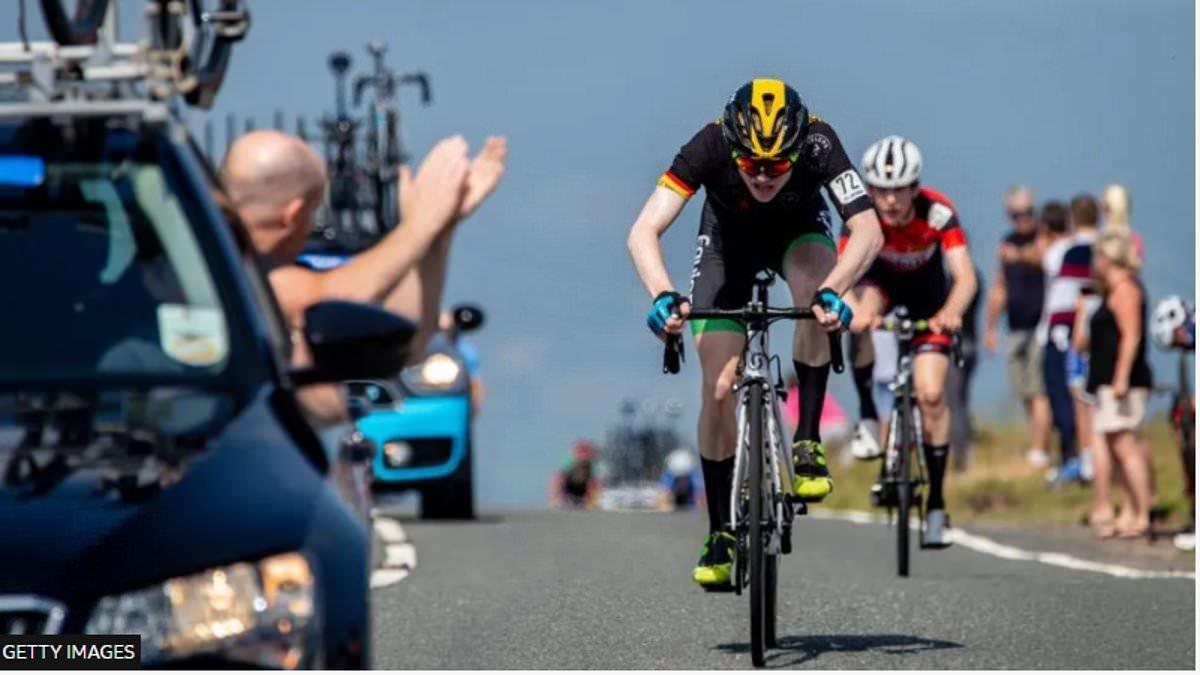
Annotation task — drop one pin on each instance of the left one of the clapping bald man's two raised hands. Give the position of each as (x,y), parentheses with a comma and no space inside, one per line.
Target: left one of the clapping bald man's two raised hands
(433,199)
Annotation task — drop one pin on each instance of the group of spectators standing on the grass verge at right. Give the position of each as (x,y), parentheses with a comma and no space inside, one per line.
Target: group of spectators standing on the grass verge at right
(1069,284)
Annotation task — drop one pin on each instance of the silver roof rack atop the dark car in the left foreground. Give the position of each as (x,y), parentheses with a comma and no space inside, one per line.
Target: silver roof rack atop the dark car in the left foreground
(107,77)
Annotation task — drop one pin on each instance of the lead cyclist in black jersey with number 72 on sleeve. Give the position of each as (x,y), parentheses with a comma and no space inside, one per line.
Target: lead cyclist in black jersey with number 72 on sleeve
(763,168)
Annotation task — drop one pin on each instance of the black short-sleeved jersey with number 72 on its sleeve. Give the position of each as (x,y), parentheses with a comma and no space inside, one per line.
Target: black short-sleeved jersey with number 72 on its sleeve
(707,162)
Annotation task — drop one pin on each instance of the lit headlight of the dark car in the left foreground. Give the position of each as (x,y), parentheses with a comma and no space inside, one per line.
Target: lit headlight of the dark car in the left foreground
(253,613)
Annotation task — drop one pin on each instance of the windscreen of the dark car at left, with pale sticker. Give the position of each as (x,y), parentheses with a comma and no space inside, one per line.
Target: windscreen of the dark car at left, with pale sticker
(104,276)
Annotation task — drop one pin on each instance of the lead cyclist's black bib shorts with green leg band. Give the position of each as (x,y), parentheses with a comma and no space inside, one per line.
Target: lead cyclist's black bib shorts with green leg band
(729,255)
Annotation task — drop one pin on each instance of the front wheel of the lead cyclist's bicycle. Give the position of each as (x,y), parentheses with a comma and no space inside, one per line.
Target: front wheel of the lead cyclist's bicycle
(757,542)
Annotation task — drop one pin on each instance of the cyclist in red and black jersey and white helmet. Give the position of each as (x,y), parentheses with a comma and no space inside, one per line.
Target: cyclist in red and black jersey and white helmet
(926,267)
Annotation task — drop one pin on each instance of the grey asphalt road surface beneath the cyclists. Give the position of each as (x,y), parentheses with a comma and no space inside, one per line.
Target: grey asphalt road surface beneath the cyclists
(614,592)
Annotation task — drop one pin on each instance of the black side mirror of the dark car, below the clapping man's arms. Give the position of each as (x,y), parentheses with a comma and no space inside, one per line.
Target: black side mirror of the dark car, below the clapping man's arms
(355,342)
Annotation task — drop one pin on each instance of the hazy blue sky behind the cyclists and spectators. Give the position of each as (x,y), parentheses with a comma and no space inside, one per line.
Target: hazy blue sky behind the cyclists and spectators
(596,99)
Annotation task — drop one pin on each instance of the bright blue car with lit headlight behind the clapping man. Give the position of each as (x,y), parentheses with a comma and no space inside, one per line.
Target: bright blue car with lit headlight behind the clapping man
(421,425)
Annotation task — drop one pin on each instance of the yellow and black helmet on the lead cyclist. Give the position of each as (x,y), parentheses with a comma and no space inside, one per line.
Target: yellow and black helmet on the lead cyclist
(765,120)
